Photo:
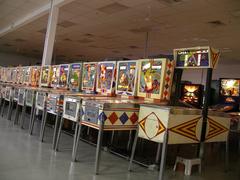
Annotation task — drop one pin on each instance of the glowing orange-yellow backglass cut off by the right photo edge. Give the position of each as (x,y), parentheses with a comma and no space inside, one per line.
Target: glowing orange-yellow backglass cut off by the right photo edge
(230,87)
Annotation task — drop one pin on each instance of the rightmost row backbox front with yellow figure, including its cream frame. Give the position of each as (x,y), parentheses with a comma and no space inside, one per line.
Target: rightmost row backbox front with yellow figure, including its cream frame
(151,78)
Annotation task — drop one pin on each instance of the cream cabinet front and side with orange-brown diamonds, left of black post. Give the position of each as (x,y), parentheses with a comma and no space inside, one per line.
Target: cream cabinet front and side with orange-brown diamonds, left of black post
(183,127)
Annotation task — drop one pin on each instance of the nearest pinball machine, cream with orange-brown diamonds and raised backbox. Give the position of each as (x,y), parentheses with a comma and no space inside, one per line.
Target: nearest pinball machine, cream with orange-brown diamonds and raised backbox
(171,124)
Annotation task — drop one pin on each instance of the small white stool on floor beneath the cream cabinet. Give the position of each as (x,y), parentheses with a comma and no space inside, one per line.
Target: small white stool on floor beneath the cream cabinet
(188,163)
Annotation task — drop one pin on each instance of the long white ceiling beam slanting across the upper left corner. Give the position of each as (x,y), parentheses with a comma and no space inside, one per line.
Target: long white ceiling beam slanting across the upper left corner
(32,16)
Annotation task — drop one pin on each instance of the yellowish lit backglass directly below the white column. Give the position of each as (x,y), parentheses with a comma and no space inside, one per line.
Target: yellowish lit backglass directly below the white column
(46,74)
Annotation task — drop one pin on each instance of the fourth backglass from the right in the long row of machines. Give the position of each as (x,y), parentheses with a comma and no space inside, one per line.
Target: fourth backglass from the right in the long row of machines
(89,76)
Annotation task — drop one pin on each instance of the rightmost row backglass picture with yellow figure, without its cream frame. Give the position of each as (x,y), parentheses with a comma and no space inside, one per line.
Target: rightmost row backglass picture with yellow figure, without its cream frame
(150,77)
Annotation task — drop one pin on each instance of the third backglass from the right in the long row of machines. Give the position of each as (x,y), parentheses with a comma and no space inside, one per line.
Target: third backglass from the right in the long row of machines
(105,76)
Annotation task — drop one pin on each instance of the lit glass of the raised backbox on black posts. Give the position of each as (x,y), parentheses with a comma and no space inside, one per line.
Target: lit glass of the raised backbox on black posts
(193,58)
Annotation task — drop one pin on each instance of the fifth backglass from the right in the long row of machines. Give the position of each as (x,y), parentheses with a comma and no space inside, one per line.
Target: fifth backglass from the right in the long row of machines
(75,77)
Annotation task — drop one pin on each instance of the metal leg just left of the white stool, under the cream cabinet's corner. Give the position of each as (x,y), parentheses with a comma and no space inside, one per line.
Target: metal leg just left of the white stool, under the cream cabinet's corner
(163,156)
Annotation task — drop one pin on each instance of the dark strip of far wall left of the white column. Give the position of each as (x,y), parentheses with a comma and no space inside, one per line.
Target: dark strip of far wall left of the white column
(7,59)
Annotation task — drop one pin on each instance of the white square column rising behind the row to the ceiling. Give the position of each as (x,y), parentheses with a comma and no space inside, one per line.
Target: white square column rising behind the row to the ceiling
(50,34)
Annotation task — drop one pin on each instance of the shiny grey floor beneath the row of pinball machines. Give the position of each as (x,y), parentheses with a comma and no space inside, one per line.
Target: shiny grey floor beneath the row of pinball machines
(24,157)
